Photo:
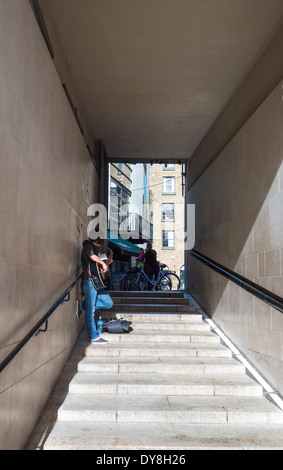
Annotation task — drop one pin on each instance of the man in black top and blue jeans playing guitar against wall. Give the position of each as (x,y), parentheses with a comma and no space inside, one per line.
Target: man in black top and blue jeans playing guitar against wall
(93,287)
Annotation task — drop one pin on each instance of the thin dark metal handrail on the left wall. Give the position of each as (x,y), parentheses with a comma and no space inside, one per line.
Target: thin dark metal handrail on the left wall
(36,329)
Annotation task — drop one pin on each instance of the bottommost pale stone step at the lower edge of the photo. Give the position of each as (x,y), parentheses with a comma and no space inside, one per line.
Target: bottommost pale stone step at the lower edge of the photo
(163,436)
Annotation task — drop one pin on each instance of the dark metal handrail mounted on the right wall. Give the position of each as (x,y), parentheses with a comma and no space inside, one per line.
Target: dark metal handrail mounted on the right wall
(261,293)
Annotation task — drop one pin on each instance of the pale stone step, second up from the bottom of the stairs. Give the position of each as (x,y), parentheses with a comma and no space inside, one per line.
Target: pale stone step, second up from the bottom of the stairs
(173,409)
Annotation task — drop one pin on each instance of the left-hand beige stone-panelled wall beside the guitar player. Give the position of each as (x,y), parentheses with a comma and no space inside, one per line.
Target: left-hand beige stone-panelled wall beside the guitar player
(47,182)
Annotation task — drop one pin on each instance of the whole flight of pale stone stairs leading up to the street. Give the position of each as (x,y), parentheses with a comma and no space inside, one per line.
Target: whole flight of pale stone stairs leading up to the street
(169,384)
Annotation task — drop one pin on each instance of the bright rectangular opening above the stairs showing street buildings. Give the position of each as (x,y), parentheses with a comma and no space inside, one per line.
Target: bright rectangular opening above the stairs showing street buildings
(146,204)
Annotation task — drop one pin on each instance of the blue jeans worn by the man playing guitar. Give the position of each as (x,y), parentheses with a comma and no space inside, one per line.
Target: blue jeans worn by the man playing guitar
(94,300)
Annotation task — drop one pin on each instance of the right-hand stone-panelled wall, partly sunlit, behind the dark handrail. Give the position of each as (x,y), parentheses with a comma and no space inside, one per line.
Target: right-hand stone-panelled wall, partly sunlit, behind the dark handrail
(239,223)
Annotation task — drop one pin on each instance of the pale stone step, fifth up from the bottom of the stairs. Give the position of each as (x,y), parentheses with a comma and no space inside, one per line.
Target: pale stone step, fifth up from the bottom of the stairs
(133,349)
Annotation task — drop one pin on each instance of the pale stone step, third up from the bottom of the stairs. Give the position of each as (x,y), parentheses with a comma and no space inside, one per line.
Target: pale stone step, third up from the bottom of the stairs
(163,384)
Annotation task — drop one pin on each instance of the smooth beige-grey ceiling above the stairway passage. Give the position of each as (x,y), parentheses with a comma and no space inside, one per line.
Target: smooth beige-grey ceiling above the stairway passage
(153,75)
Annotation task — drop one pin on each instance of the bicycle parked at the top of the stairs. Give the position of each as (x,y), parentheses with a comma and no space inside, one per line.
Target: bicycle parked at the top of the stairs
(139,281)
